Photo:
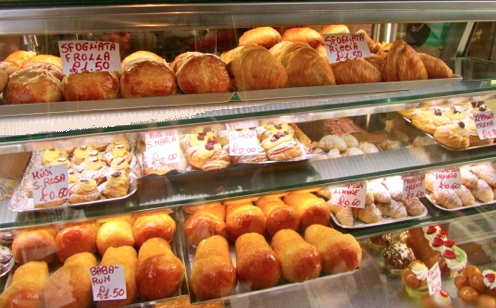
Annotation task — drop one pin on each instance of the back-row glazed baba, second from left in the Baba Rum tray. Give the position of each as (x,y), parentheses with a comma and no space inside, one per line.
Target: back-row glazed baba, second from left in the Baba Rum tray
(76,238)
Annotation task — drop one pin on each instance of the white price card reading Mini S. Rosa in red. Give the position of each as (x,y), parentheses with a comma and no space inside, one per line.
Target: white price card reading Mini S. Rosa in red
(50,183)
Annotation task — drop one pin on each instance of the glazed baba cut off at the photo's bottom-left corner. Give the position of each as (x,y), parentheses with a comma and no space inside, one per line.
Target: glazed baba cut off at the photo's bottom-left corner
(26,286)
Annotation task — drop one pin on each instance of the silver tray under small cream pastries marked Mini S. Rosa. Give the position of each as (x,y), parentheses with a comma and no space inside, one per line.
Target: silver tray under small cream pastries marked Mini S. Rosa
(21,202)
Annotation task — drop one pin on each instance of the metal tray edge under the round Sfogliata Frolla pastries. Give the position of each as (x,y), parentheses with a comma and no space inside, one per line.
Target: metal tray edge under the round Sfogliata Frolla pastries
(115,104)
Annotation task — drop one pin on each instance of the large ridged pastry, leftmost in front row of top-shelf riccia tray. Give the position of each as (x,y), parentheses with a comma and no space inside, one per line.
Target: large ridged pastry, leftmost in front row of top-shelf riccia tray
(255,68)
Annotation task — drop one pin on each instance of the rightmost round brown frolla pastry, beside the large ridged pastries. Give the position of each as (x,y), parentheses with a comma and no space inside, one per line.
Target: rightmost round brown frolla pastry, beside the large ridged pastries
(204,73)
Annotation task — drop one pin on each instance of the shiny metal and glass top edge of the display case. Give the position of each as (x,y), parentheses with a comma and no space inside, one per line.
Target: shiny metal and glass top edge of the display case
(86,16)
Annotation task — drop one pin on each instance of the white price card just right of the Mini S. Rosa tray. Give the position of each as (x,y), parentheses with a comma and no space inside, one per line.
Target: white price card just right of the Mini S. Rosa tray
(162,148)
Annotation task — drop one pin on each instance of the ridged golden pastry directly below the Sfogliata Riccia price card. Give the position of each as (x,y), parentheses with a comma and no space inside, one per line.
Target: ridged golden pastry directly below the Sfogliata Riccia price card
(355,71)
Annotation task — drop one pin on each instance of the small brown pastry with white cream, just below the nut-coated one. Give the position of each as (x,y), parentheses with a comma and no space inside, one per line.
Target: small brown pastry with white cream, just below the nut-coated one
(414,278)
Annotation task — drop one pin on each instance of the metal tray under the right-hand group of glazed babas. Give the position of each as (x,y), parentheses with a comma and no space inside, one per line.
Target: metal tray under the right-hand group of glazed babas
(241,291)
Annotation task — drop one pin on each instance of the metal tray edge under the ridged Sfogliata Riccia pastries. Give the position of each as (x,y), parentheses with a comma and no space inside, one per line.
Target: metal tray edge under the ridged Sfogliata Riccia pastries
(347,89)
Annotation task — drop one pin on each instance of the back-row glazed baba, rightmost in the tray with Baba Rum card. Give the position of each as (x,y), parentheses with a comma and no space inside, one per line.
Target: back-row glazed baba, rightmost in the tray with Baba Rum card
(155,224)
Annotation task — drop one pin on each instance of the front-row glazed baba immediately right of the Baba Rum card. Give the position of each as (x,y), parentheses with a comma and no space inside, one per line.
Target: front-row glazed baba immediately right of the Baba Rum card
(159,273)
